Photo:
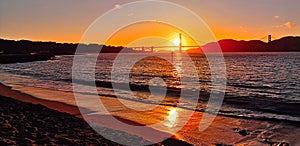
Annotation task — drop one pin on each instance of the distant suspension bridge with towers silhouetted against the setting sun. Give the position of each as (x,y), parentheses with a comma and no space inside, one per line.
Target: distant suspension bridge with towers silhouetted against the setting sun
(180,45)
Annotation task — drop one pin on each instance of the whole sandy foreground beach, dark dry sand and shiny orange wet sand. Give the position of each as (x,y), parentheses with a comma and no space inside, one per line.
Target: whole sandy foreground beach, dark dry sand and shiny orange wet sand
(21,106)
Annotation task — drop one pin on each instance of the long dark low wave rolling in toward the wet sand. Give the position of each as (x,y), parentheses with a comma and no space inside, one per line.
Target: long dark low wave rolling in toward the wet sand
(267,108)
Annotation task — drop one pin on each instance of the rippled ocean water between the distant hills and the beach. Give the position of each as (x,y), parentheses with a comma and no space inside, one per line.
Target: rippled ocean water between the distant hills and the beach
(259,85)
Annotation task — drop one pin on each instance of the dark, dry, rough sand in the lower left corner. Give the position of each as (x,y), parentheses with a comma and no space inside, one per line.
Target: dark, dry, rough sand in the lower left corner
(26,124)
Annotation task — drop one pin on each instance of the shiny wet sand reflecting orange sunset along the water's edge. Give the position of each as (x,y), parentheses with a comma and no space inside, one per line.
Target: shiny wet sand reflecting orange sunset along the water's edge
(223,131)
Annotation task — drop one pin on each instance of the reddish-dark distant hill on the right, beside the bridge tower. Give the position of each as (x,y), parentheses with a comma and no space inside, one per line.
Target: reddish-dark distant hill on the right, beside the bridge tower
(285,44)
